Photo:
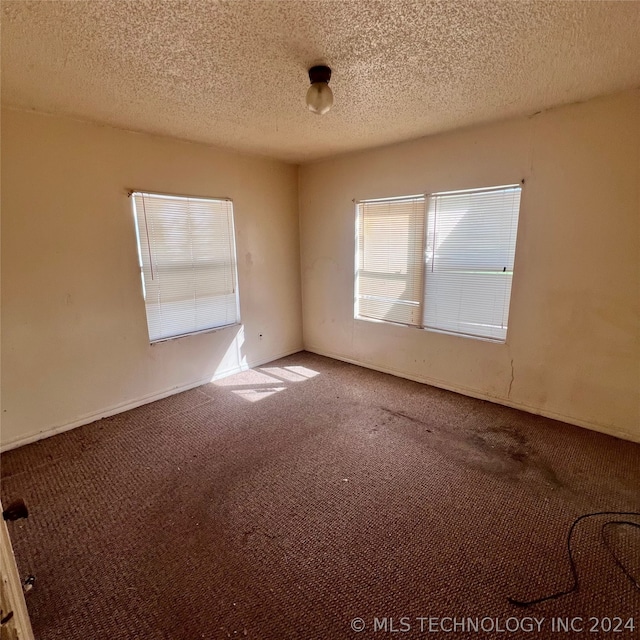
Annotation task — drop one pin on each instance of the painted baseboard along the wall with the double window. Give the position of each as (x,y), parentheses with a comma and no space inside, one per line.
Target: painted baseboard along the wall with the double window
(474,393)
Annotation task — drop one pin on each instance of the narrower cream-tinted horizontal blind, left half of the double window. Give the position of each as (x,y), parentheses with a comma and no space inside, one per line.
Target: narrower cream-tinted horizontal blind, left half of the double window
(389,259)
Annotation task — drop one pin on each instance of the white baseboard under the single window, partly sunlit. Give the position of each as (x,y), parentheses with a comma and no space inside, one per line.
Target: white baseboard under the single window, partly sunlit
(132,404)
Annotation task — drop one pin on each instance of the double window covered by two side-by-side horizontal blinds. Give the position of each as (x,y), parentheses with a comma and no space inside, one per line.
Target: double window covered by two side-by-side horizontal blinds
(442,261)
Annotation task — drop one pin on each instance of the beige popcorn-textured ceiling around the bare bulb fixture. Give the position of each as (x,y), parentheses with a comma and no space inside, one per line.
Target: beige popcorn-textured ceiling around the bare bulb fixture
(235,73)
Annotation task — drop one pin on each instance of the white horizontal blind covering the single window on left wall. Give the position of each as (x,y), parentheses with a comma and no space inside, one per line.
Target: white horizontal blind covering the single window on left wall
(187,257)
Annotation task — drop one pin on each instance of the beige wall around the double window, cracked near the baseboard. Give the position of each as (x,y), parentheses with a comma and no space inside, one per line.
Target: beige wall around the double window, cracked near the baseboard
(573,347)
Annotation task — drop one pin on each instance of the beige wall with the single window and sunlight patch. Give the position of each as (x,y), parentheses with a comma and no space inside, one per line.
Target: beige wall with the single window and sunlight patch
(74,335)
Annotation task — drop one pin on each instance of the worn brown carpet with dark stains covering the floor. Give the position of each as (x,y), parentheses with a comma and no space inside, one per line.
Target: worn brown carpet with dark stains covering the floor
(286,501)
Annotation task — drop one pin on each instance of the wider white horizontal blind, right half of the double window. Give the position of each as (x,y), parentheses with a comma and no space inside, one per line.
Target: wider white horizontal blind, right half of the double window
(470,250)
